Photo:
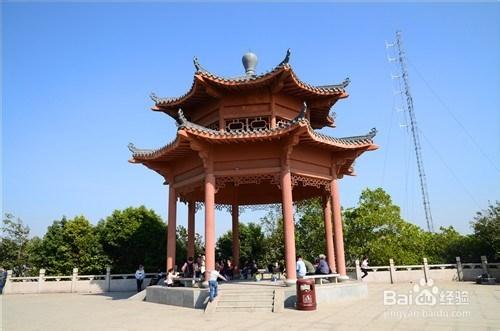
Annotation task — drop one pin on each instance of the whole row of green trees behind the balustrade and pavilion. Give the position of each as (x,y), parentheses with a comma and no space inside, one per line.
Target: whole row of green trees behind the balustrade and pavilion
(137,236)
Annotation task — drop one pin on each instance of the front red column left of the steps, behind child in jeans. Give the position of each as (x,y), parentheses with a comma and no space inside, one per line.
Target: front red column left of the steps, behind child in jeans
(209,223)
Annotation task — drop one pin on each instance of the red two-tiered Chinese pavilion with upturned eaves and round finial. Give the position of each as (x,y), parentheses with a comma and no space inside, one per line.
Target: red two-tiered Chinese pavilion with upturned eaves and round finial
(252,140)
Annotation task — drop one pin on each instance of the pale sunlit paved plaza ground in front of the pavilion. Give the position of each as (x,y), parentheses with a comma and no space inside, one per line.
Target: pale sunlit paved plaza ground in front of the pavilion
(114,312)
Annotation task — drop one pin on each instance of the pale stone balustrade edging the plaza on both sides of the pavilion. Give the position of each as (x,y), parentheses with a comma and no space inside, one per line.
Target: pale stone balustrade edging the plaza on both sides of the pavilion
(108,282)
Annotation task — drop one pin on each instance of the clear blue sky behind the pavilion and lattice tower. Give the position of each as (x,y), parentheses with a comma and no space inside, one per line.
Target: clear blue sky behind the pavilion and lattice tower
(76,79)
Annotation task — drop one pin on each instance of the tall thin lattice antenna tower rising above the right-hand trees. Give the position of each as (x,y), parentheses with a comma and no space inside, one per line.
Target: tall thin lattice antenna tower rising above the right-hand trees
(405,89)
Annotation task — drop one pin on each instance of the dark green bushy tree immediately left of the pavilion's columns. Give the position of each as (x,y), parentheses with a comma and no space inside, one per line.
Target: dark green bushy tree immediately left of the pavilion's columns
(133,236)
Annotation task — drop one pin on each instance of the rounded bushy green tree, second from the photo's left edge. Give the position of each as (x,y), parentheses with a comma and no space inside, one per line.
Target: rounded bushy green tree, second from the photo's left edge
(70,244)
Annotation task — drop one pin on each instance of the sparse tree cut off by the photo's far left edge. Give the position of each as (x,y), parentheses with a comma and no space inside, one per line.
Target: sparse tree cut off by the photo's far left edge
(14,245)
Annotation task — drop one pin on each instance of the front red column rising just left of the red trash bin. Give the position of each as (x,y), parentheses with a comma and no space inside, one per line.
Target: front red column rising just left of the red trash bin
(288,225)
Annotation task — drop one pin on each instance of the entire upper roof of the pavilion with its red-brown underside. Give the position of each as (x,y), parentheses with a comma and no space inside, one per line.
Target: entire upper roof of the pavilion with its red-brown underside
(319,98)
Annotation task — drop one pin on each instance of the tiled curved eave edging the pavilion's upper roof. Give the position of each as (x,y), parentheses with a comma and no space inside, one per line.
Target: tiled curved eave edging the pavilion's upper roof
(292,85)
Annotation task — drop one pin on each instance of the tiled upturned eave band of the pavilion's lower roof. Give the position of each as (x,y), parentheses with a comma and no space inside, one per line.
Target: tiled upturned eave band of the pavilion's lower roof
(180,145)
